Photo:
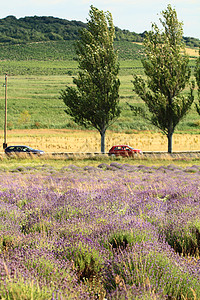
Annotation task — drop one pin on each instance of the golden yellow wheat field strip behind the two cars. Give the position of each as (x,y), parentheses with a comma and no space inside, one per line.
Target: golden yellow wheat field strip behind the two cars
(64,140)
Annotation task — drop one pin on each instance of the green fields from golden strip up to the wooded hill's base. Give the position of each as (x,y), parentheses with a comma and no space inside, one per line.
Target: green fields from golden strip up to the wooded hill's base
(38,72)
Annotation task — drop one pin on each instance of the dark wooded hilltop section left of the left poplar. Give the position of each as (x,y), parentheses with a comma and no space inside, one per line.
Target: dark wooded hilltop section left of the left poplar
(37,29)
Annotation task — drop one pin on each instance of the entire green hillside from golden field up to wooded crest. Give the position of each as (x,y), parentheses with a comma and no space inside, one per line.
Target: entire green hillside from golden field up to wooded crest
(39,69)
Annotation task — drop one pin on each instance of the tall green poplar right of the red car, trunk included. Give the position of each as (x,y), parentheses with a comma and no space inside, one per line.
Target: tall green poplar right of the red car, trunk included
(166,66)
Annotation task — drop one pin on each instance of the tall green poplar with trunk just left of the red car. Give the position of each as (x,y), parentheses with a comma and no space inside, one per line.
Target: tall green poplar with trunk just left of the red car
(95,99)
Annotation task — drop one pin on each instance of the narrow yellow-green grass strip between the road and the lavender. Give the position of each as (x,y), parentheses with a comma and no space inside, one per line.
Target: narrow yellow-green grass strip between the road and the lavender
(58,162)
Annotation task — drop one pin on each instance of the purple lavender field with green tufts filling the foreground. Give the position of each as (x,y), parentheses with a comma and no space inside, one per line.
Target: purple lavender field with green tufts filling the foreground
(115,231)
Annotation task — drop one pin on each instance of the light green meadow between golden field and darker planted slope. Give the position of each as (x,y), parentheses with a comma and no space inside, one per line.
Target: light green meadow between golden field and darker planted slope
(33,92)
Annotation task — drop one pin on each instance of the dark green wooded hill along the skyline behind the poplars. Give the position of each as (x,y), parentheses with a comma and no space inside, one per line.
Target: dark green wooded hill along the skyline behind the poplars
(37,29)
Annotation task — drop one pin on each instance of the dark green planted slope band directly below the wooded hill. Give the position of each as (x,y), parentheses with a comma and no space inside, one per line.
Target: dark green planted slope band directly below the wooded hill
(60,51)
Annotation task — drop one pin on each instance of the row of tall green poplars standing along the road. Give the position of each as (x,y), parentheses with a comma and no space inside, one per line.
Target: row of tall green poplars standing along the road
(94,101)
